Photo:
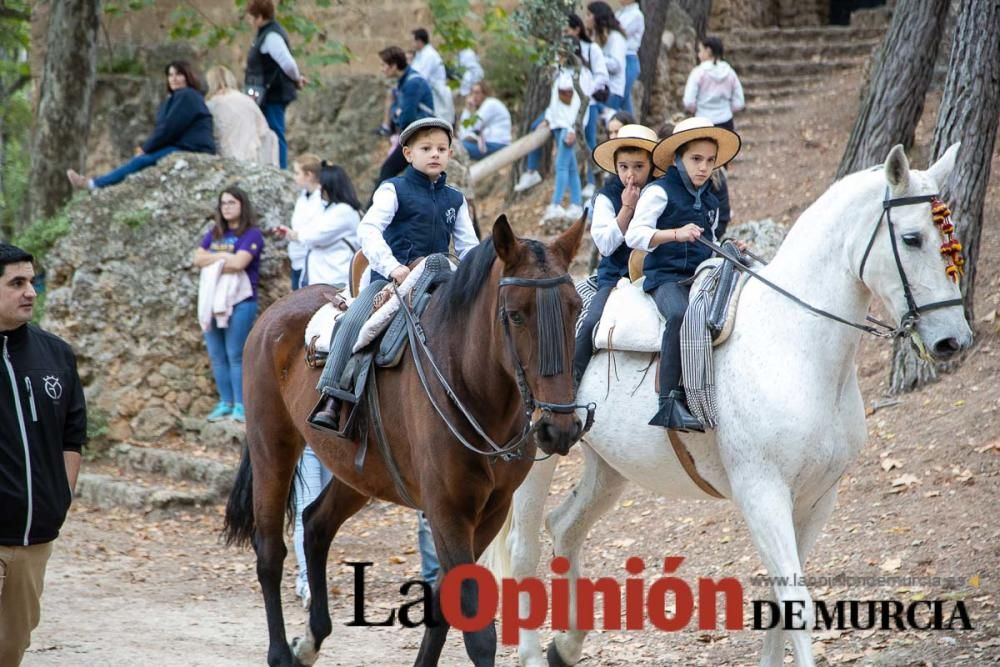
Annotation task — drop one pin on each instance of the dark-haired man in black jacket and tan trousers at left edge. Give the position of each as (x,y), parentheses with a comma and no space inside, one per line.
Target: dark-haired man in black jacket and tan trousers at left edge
(43,426)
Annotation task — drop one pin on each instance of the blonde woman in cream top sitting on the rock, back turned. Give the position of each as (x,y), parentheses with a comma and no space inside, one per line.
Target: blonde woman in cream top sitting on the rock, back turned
(240,129)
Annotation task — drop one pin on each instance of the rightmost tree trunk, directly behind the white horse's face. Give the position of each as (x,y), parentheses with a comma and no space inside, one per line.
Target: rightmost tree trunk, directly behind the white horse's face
(968,114)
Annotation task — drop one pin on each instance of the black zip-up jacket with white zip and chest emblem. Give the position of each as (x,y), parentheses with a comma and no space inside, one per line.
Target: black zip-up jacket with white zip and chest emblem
(42,415)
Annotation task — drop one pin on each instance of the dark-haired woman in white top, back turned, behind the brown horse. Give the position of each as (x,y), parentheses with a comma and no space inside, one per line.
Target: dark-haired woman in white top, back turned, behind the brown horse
(332,238)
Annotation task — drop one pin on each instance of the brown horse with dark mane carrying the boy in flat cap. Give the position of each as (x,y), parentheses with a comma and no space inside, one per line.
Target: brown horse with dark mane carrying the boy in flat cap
(501,333)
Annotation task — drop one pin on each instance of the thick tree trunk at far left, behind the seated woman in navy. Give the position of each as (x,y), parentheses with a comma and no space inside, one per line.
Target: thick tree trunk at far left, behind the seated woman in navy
(64,105)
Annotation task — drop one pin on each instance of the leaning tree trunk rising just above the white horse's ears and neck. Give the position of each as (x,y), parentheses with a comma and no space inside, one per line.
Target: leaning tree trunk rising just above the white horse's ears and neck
(901,73)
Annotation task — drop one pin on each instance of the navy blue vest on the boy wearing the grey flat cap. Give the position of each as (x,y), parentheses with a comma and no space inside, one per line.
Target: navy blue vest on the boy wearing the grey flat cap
(425,216)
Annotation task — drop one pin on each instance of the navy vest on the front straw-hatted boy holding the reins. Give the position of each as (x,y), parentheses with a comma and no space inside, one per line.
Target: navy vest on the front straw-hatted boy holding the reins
(677,261)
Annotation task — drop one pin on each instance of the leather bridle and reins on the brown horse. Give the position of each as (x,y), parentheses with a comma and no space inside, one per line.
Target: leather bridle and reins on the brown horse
(514,448)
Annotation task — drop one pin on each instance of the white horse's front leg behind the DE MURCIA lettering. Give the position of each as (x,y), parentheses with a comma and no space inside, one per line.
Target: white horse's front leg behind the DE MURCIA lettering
(767,509)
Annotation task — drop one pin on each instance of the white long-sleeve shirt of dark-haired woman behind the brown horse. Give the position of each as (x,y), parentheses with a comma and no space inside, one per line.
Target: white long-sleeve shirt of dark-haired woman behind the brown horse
(330,241)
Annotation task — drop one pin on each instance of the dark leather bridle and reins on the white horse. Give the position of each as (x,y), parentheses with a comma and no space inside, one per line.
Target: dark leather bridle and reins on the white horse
(912,315)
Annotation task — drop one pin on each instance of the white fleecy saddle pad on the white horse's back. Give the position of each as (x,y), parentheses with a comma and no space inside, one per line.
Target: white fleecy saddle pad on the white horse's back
(631,321)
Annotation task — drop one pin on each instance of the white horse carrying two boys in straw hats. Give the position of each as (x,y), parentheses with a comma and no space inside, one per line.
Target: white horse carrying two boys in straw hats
(791,417)
